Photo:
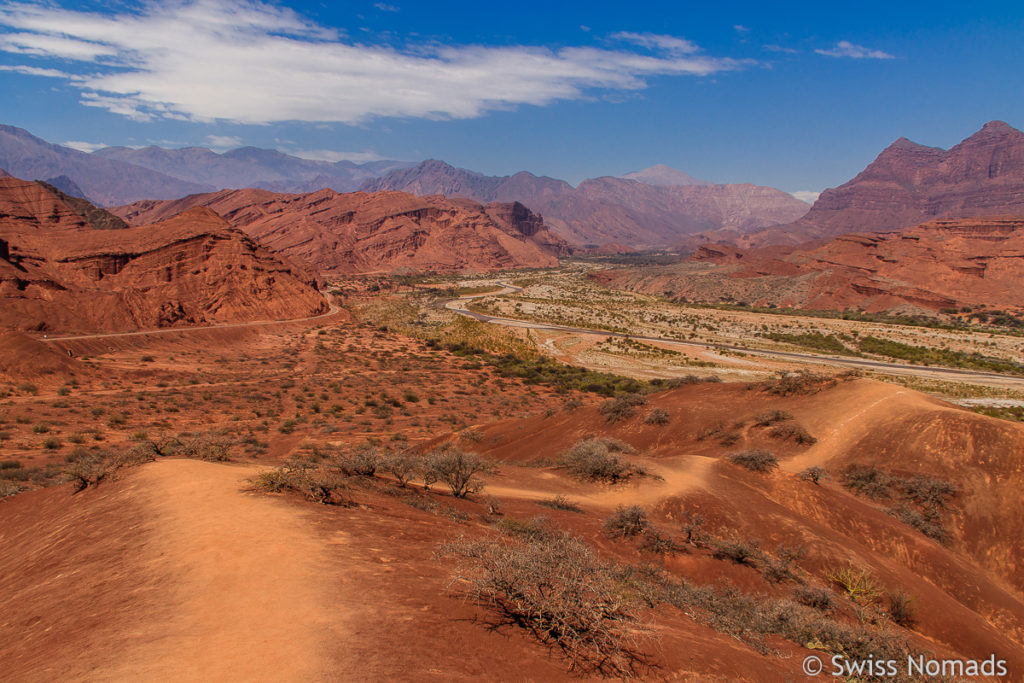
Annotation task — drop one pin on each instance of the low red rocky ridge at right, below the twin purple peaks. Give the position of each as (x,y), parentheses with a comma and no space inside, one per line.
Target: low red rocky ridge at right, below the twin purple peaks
(940,265)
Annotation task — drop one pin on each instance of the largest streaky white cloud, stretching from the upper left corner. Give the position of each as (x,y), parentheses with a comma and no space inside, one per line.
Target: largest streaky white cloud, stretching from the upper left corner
(246,62)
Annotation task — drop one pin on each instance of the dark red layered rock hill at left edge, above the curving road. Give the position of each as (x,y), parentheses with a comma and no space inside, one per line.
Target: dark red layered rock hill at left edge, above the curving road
(57,273)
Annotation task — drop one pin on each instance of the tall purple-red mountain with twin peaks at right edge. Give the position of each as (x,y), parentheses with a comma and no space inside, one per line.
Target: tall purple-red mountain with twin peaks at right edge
(910,184)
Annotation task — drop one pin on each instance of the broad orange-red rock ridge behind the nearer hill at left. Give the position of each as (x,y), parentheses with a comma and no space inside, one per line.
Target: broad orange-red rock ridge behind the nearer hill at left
(380,232)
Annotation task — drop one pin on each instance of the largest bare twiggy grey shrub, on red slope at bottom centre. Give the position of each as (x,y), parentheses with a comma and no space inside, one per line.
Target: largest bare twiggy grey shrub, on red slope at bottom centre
(560,591)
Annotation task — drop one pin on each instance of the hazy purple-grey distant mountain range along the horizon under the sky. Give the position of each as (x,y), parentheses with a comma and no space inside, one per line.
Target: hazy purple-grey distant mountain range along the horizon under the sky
(654,207)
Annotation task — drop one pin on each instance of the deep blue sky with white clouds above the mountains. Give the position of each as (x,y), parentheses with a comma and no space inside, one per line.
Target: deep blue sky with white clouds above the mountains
(797,96)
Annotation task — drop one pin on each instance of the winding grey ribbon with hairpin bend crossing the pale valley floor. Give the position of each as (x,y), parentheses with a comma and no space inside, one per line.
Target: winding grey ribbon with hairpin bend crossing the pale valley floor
(459,307)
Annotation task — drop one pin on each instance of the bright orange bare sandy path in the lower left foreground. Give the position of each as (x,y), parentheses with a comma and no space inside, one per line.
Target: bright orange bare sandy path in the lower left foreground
(251,586)
